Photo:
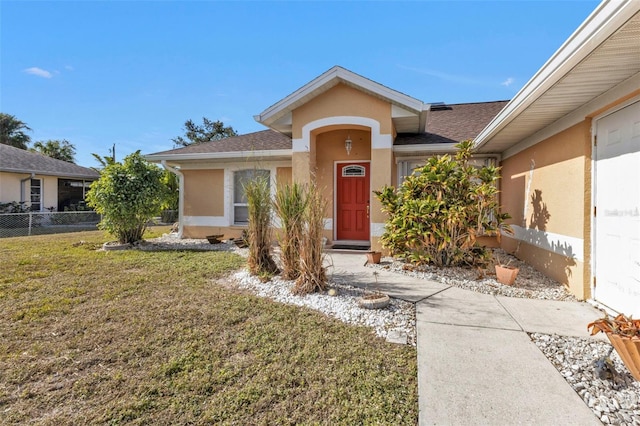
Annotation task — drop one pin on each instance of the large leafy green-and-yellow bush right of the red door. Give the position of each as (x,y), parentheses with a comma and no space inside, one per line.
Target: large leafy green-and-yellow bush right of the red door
(438,212)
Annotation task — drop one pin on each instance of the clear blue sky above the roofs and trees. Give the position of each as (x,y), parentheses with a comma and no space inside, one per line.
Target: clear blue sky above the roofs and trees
(131,73)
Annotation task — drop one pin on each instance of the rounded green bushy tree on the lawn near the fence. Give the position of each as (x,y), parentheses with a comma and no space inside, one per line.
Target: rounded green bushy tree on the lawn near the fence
(127,195)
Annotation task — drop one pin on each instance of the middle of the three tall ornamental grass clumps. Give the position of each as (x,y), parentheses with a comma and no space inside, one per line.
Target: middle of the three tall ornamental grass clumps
(290,204)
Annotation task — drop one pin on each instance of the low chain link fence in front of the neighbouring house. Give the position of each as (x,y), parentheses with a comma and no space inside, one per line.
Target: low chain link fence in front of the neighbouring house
(38,223)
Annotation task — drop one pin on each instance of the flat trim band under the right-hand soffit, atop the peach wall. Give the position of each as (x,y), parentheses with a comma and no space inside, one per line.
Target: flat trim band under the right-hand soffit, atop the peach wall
(576,116)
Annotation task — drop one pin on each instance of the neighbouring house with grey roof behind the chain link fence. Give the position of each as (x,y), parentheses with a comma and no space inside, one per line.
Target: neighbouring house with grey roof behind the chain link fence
(42,182)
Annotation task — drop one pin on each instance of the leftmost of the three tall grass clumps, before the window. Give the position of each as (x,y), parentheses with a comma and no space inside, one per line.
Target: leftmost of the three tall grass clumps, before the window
(260,261)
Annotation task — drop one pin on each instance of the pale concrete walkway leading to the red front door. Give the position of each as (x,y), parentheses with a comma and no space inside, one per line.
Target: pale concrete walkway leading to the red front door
(476,362)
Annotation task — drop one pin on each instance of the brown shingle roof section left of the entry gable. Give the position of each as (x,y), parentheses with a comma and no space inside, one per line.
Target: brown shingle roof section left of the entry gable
(265,140)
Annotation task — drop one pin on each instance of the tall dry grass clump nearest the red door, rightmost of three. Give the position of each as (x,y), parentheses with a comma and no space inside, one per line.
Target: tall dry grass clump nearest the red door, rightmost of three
(312,276)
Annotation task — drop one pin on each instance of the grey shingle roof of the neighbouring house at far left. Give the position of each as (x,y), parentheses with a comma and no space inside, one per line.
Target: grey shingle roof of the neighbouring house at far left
(21,161)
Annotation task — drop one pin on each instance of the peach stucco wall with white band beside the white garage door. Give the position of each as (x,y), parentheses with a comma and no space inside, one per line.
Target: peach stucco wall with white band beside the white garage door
(546,189)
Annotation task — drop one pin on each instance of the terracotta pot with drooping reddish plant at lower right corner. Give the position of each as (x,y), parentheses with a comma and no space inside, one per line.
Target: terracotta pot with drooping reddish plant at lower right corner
(624,334)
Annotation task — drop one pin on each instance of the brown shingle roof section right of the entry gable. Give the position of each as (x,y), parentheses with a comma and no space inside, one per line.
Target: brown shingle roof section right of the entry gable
(454,123)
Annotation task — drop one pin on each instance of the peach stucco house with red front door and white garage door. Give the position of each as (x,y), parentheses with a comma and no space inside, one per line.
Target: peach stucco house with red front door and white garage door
(355,136)
